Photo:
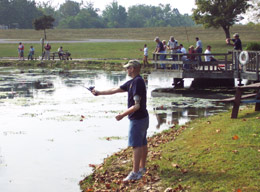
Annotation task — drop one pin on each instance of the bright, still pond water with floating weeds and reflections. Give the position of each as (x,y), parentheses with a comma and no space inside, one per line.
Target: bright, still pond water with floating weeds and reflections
(52,127)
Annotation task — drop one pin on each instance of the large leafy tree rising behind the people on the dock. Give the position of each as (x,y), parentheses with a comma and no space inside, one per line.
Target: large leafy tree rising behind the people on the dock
(219,13)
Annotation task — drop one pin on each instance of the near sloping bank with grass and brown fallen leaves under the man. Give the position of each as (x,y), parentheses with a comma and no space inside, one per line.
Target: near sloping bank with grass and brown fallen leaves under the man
(208,154)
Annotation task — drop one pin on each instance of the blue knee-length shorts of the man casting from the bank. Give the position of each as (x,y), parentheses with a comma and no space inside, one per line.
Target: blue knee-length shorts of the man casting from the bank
(137,132)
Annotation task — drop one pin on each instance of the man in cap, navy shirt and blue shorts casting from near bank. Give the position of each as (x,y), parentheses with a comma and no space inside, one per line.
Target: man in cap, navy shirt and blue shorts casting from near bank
(137,114)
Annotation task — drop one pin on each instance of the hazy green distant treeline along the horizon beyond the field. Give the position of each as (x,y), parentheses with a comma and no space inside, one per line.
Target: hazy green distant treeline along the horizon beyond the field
(74,15)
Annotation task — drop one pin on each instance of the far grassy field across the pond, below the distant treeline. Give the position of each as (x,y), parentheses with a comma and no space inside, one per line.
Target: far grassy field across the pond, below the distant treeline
(186,36)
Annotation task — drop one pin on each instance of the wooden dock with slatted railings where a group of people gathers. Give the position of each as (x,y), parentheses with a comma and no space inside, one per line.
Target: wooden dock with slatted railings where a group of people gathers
(226,66)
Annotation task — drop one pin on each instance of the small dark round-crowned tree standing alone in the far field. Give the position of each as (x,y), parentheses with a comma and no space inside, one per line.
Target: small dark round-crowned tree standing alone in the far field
(43,23)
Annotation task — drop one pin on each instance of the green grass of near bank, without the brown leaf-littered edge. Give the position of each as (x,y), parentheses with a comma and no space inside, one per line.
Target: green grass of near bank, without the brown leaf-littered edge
(216,162)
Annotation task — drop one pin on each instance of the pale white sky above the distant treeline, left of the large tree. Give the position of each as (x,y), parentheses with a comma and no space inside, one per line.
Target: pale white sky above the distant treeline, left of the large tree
(184,6)
